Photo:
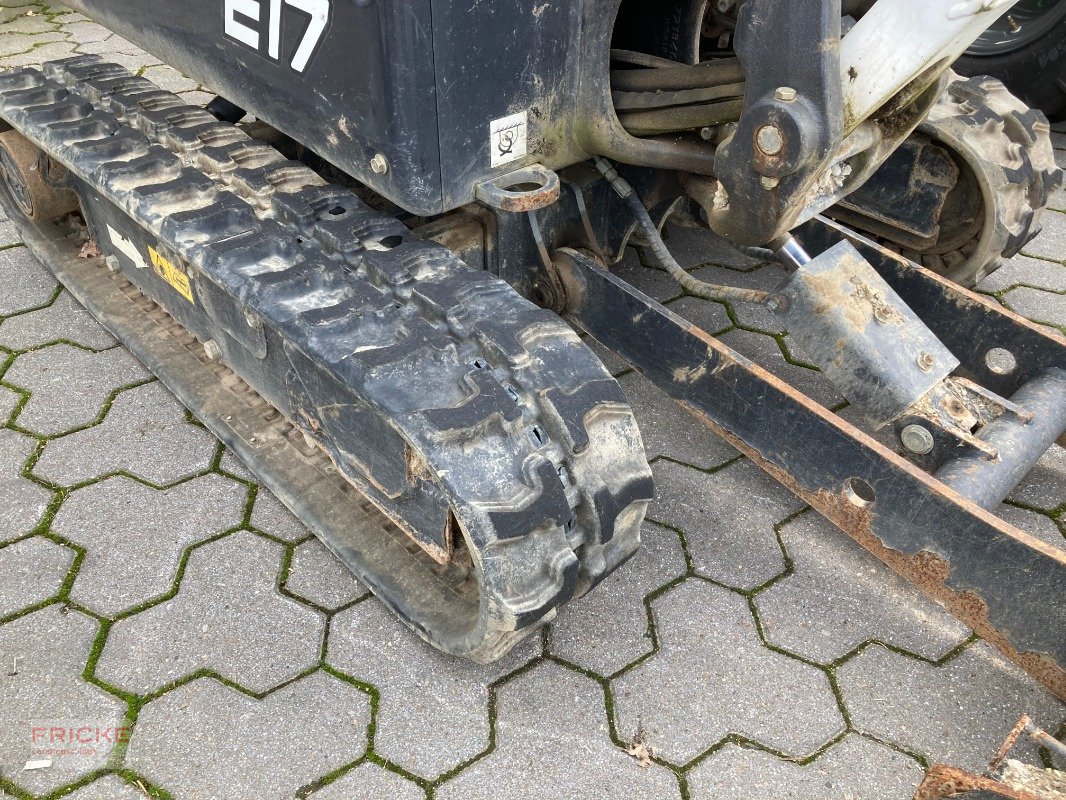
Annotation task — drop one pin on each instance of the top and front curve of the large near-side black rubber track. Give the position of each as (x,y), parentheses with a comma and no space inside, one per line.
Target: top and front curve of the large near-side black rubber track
(509,413)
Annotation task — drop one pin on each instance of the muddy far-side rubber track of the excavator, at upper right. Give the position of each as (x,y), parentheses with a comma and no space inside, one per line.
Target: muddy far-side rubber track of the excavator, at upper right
(1009,147)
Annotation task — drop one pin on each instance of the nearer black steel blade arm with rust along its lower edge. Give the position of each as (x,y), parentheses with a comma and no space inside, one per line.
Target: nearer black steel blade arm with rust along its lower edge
(993,577)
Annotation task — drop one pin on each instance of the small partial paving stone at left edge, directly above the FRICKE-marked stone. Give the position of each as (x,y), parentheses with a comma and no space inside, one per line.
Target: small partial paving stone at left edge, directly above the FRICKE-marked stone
(31,571)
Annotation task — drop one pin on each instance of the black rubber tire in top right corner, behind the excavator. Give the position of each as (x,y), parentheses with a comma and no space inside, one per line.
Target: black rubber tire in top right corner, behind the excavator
(1036,74)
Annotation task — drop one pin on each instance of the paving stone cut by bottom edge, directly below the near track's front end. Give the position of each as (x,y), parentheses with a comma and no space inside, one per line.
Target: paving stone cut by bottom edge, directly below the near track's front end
(547,749)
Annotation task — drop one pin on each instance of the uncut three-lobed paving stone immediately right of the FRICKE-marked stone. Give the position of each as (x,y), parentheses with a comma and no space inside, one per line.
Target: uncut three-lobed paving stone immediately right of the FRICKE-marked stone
(228,617)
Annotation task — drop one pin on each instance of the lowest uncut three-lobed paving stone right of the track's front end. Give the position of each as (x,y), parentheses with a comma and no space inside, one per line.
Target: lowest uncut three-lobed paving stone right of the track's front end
(713,677)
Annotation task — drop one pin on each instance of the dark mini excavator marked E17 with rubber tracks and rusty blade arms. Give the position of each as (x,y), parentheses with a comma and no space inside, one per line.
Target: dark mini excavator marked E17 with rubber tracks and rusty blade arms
(363,267)
